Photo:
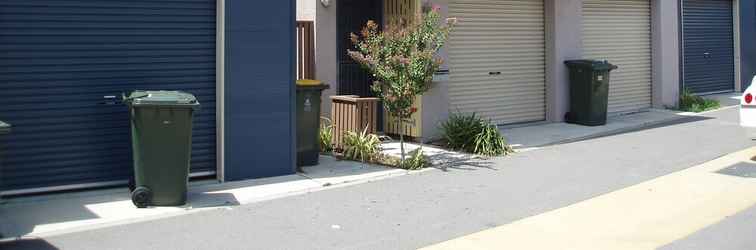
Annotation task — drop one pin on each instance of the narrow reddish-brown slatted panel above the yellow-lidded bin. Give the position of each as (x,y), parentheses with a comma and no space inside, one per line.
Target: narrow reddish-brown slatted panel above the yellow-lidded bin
(305,50)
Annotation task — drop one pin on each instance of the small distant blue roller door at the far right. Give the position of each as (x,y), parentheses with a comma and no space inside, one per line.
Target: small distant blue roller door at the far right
(708,46)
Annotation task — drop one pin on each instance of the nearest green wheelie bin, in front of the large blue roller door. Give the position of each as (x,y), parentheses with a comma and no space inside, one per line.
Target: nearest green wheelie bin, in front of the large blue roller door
(161,134)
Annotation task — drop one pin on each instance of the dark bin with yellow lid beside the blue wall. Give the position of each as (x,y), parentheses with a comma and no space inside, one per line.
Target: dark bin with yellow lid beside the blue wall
(308,121)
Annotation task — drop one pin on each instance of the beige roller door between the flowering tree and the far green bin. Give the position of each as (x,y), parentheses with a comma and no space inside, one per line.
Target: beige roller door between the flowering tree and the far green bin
(497,59)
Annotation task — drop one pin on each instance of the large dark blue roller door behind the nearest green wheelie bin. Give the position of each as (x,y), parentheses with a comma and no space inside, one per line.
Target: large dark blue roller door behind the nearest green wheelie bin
(59,58)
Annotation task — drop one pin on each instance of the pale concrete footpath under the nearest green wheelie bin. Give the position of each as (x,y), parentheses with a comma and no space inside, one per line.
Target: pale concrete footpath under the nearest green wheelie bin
(54,214)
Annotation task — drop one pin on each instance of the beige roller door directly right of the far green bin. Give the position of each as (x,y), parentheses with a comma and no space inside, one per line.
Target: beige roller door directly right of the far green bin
(620,31)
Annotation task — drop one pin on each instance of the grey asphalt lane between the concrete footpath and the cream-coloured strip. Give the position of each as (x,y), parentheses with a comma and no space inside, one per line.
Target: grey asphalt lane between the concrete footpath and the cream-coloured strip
(418,210)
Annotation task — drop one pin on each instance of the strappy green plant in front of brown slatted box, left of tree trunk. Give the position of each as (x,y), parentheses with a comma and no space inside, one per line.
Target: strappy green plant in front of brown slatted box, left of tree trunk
(364,147)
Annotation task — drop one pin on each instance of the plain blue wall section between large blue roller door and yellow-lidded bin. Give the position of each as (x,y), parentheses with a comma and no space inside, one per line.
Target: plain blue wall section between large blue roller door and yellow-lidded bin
(259,89)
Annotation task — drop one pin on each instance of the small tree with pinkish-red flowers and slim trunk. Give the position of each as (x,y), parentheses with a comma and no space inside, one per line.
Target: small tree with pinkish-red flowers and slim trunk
(402,58)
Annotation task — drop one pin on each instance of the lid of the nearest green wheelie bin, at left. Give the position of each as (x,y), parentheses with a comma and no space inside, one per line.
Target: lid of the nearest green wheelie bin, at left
(161,98)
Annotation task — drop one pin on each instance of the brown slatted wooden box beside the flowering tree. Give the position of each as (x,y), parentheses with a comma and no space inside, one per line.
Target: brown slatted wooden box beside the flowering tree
(352,113)
